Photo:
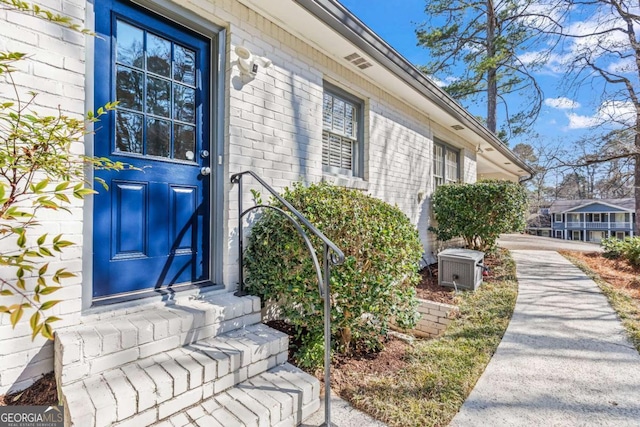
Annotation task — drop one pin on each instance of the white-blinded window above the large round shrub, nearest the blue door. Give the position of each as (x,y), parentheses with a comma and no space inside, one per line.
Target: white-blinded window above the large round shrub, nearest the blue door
(342,145)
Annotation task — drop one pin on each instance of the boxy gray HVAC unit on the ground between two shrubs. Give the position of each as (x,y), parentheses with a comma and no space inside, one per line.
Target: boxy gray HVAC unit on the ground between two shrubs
(462,266)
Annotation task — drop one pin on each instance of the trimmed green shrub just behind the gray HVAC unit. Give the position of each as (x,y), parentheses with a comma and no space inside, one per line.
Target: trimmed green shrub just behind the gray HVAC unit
(479,212)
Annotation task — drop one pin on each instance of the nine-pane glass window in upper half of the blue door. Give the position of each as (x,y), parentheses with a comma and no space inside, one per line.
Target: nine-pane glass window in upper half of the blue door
(157,97)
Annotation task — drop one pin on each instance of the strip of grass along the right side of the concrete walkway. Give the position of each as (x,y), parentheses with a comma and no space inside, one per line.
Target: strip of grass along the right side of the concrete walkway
(627,308)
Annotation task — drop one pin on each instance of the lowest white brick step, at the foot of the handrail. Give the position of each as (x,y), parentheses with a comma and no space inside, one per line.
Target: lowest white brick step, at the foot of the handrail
(282,397)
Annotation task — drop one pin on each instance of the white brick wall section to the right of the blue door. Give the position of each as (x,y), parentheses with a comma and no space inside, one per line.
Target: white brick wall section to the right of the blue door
(276,127)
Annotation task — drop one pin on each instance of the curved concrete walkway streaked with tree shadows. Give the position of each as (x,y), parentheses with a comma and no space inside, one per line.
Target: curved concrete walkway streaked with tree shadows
(564,360)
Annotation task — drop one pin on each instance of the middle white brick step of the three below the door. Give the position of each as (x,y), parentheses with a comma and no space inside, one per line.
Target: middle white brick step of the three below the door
(147,390)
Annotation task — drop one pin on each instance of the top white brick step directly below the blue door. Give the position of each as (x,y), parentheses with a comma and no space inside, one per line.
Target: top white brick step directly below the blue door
(100,344)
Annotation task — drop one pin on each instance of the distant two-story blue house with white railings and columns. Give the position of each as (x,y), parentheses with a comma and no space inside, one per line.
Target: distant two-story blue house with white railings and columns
(593,220)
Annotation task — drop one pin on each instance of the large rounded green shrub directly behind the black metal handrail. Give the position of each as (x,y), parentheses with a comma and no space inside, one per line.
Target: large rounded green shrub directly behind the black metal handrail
(373,286)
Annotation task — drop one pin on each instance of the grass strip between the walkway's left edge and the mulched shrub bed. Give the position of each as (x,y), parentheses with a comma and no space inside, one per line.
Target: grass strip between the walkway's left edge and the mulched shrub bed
(442,372)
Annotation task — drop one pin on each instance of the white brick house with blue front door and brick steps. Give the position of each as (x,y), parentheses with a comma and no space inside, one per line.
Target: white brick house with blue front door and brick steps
(291,90)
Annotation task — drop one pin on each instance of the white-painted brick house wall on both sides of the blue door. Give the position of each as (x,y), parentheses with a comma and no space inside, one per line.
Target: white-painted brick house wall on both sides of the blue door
(272,126)
